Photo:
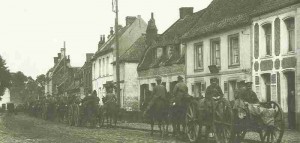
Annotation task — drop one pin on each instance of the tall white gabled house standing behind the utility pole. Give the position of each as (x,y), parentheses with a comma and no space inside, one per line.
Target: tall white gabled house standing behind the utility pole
(103,71)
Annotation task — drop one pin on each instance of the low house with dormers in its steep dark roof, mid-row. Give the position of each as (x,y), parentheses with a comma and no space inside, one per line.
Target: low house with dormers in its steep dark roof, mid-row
(165,54)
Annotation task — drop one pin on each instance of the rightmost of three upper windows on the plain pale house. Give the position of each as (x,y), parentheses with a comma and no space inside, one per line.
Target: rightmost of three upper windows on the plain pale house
(234,50)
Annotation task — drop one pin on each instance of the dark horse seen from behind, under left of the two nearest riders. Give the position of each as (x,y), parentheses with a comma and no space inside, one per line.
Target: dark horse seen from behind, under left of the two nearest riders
(158,112)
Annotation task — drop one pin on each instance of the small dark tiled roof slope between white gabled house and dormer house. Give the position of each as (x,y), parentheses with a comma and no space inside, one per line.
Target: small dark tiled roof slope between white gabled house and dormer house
(136,51)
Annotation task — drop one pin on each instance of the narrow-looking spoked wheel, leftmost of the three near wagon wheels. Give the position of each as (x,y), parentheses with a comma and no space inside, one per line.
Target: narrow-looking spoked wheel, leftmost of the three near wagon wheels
(192,127)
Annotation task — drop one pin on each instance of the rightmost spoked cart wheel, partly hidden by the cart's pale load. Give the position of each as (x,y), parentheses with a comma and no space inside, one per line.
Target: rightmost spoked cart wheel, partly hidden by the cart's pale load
(273,133)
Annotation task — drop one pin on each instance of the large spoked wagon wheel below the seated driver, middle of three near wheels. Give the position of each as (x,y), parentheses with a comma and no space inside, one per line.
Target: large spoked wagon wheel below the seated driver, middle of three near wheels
(223,122)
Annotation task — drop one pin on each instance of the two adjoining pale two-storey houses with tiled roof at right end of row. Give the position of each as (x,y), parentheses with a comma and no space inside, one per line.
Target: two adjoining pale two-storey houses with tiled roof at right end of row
(258,44)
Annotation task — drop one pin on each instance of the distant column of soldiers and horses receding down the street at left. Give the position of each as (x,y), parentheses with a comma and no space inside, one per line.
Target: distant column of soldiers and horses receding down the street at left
(61,108)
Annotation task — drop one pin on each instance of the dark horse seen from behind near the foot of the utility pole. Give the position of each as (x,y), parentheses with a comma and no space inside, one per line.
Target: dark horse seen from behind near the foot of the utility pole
(111,111)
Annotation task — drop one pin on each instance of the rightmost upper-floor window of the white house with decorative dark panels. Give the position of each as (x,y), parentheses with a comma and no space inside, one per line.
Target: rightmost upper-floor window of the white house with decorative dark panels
(290,25)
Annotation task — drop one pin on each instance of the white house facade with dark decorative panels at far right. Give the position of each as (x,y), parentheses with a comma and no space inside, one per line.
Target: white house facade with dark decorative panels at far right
(275,44)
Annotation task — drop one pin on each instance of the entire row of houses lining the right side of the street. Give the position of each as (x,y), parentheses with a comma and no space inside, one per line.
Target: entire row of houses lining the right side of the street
(230,40)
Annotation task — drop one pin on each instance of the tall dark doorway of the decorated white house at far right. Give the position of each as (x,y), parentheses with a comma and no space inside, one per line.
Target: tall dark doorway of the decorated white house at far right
(290,78)
